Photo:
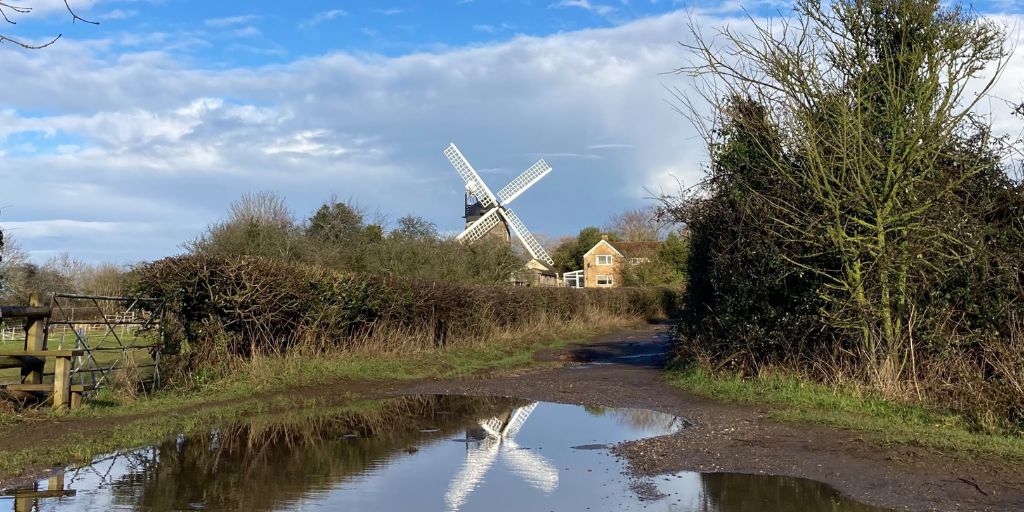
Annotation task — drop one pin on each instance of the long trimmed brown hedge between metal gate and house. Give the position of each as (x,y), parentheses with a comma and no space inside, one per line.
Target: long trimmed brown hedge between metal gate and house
(253,305)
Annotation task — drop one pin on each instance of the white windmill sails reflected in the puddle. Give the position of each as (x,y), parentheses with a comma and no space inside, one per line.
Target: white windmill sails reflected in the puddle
(495,439)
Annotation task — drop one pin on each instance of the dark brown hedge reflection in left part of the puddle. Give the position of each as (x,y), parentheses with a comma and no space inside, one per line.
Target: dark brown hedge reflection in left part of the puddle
(271,462)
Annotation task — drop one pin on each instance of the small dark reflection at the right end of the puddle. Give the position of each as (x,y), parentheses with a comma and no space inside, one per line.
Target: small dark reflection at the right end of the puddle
(739,493)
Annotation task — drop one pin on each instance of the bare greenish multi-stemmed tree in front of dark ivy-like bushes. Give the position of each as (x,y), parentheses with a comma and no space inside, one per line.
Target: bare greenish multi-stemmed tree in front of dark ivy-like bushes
(866,101)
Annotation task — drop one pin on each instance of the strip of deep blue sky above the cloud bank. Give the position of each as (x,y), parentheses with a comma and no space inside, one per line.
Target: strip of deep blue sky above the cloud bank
(261,31)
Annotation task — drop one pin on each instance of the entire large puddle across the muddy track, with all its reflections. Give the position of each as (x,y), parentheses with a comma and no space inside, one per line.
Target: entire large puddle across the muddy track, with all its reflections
(426,453)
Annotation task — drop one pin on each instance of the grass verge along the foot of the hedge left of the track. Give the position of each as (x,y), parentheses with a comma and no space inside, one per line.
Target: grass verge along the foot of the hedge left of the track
(220,400)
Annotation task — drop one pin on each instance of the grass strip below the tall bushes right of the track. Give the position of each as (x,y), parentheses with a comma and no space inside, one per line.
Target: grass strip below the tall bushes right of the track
(878,420)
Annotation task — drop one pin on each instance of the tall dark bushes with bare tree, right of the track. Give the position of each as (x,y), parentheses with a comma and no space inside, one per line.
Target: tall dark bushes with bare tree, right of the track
(859,223)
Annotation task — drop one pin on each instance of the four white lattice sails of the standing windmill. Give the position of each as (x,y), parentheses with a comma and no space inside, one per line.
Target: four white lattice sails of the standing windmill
(494,210)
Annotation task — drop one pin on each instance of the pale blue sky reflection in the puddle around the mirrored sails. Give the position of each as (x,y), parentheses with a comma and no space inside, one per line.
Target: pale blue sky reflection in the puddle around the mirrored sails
(421,482)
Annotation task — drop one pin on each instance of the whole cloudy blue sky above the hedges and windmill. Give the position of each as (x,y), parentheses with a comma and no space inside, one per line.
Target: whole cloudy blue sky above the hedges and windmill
(123,141)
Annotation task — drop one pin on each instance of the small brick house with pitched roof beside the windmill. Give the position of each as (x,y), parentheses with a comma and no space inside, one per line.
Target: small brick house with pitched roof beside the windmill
(604,265)
